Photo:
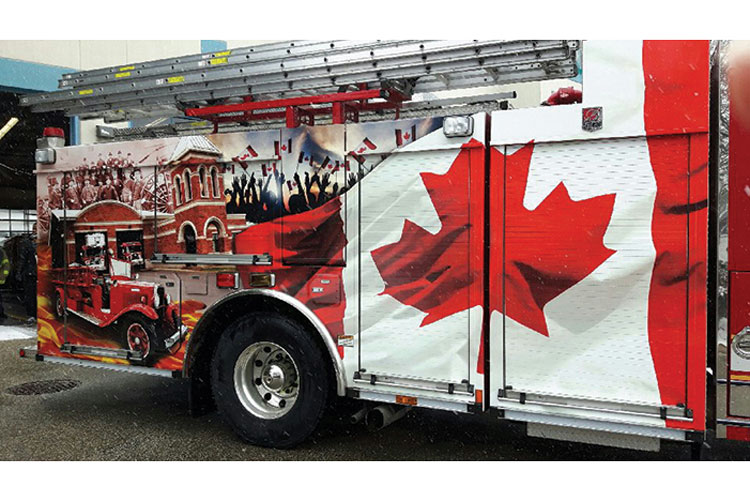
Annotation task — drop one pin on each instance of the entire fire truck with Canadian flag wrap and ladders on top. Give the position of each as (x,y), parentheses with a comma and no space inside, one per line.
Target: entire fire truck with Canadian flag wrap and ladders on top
(555,265)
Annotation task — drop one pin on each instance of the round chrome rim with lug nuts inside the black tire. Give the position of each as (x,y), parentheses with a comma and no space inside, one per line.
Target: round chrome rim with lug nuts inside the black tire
(266,380)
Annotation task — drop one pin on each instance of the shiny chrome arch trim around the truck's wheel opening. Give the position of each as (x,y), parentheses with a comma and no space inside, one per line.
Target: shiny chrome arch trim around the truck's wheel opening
(321,329)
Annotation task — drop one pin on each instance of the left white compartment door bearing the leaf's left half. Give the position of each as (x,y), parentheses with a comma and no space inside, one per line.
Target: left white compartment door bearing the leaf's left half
(421,224)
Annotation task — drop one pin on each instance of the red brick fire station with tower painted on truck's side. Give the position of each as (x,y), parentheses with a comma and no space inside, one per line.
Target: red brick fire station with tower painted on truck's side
(192,178)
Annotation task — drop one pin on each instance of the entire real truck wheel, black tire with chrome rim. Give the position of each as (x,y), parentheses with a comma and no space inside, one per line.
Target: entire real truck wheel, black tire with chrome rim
(271,380)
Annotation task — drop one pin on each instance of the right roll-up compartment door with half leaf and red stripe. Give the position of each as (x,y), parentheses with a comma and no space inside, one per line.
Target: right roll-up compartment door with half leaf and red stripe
(592,270)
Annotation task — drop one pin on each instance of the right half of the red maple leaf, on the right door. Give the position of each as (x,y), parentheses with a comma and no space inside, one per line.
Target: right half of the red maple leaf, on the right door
(550,248)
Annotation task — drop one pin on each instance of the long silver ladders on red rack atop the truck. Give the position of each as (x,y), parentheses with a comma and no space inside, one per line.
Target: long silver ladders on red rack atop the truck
(286,72)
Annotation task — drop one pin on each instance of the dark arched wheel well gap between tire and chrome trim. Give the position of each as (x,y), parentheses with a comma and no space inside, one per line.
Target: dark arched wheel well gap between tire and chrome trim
(205,338)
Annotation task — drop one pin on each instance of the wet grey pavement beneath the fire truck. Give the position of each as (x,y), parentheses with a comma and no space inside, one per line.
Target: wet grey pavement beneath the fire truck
(113,415)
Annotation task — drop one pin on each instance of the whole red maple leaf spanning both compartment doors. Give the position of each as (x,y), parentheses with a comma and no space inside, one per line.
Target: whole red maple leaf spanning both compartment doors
(547,249)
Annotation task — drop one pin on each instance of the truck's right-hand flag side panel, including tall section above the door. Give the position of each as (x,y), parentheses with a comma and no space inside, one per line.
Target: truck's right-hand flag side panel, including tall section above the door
(604,309)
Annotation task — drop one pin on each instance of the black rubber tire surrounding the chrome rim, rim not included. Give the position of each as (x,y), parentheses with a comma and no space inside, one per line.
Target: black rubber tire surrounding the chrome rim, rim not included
(311,364)
